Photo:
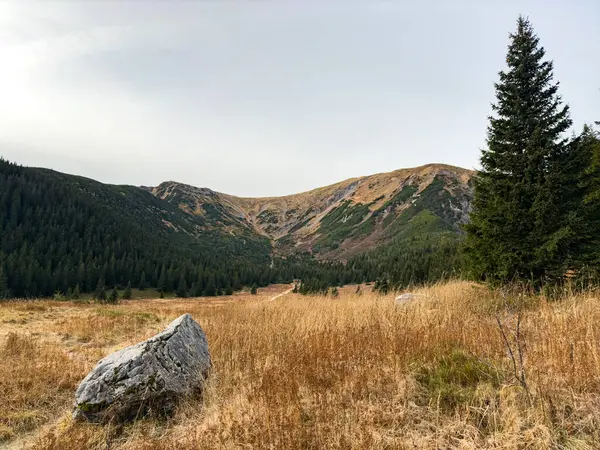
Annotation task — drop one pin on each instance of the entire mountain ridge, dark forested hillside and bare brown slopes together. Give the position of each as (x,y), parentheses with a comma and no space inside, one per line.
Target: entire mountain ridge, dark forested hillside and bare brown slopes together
(65,233)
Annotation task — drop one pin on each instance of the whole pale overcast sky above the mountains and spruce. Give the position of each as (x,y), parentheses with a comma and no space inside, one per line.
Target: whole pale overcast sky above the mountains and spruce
(273,97)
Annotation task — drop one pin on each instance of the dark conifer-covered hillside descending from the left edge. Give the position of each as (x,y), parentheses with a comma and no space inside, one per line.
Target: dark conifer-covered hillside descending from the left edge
(65,233)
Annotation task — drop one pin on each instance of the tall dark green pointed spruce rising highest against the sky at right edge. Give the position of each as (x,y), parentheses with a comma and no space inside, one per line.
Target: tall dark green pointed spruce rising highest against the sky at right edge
(519,226)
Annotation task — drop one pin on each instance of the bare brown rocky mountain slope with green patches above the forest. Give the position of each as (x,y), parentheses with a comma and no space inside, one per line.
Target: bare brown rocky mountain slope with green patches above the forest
(341,220)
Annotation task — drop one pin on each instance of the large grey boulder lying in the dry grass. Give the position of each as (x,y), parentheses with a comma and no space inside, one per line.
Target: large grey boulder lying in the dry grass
(148,377)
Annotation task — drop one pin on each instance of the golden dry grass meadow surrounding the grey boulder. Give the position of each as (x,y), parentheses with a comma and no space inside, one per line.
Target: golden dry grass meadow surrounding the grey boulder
(355,372)
